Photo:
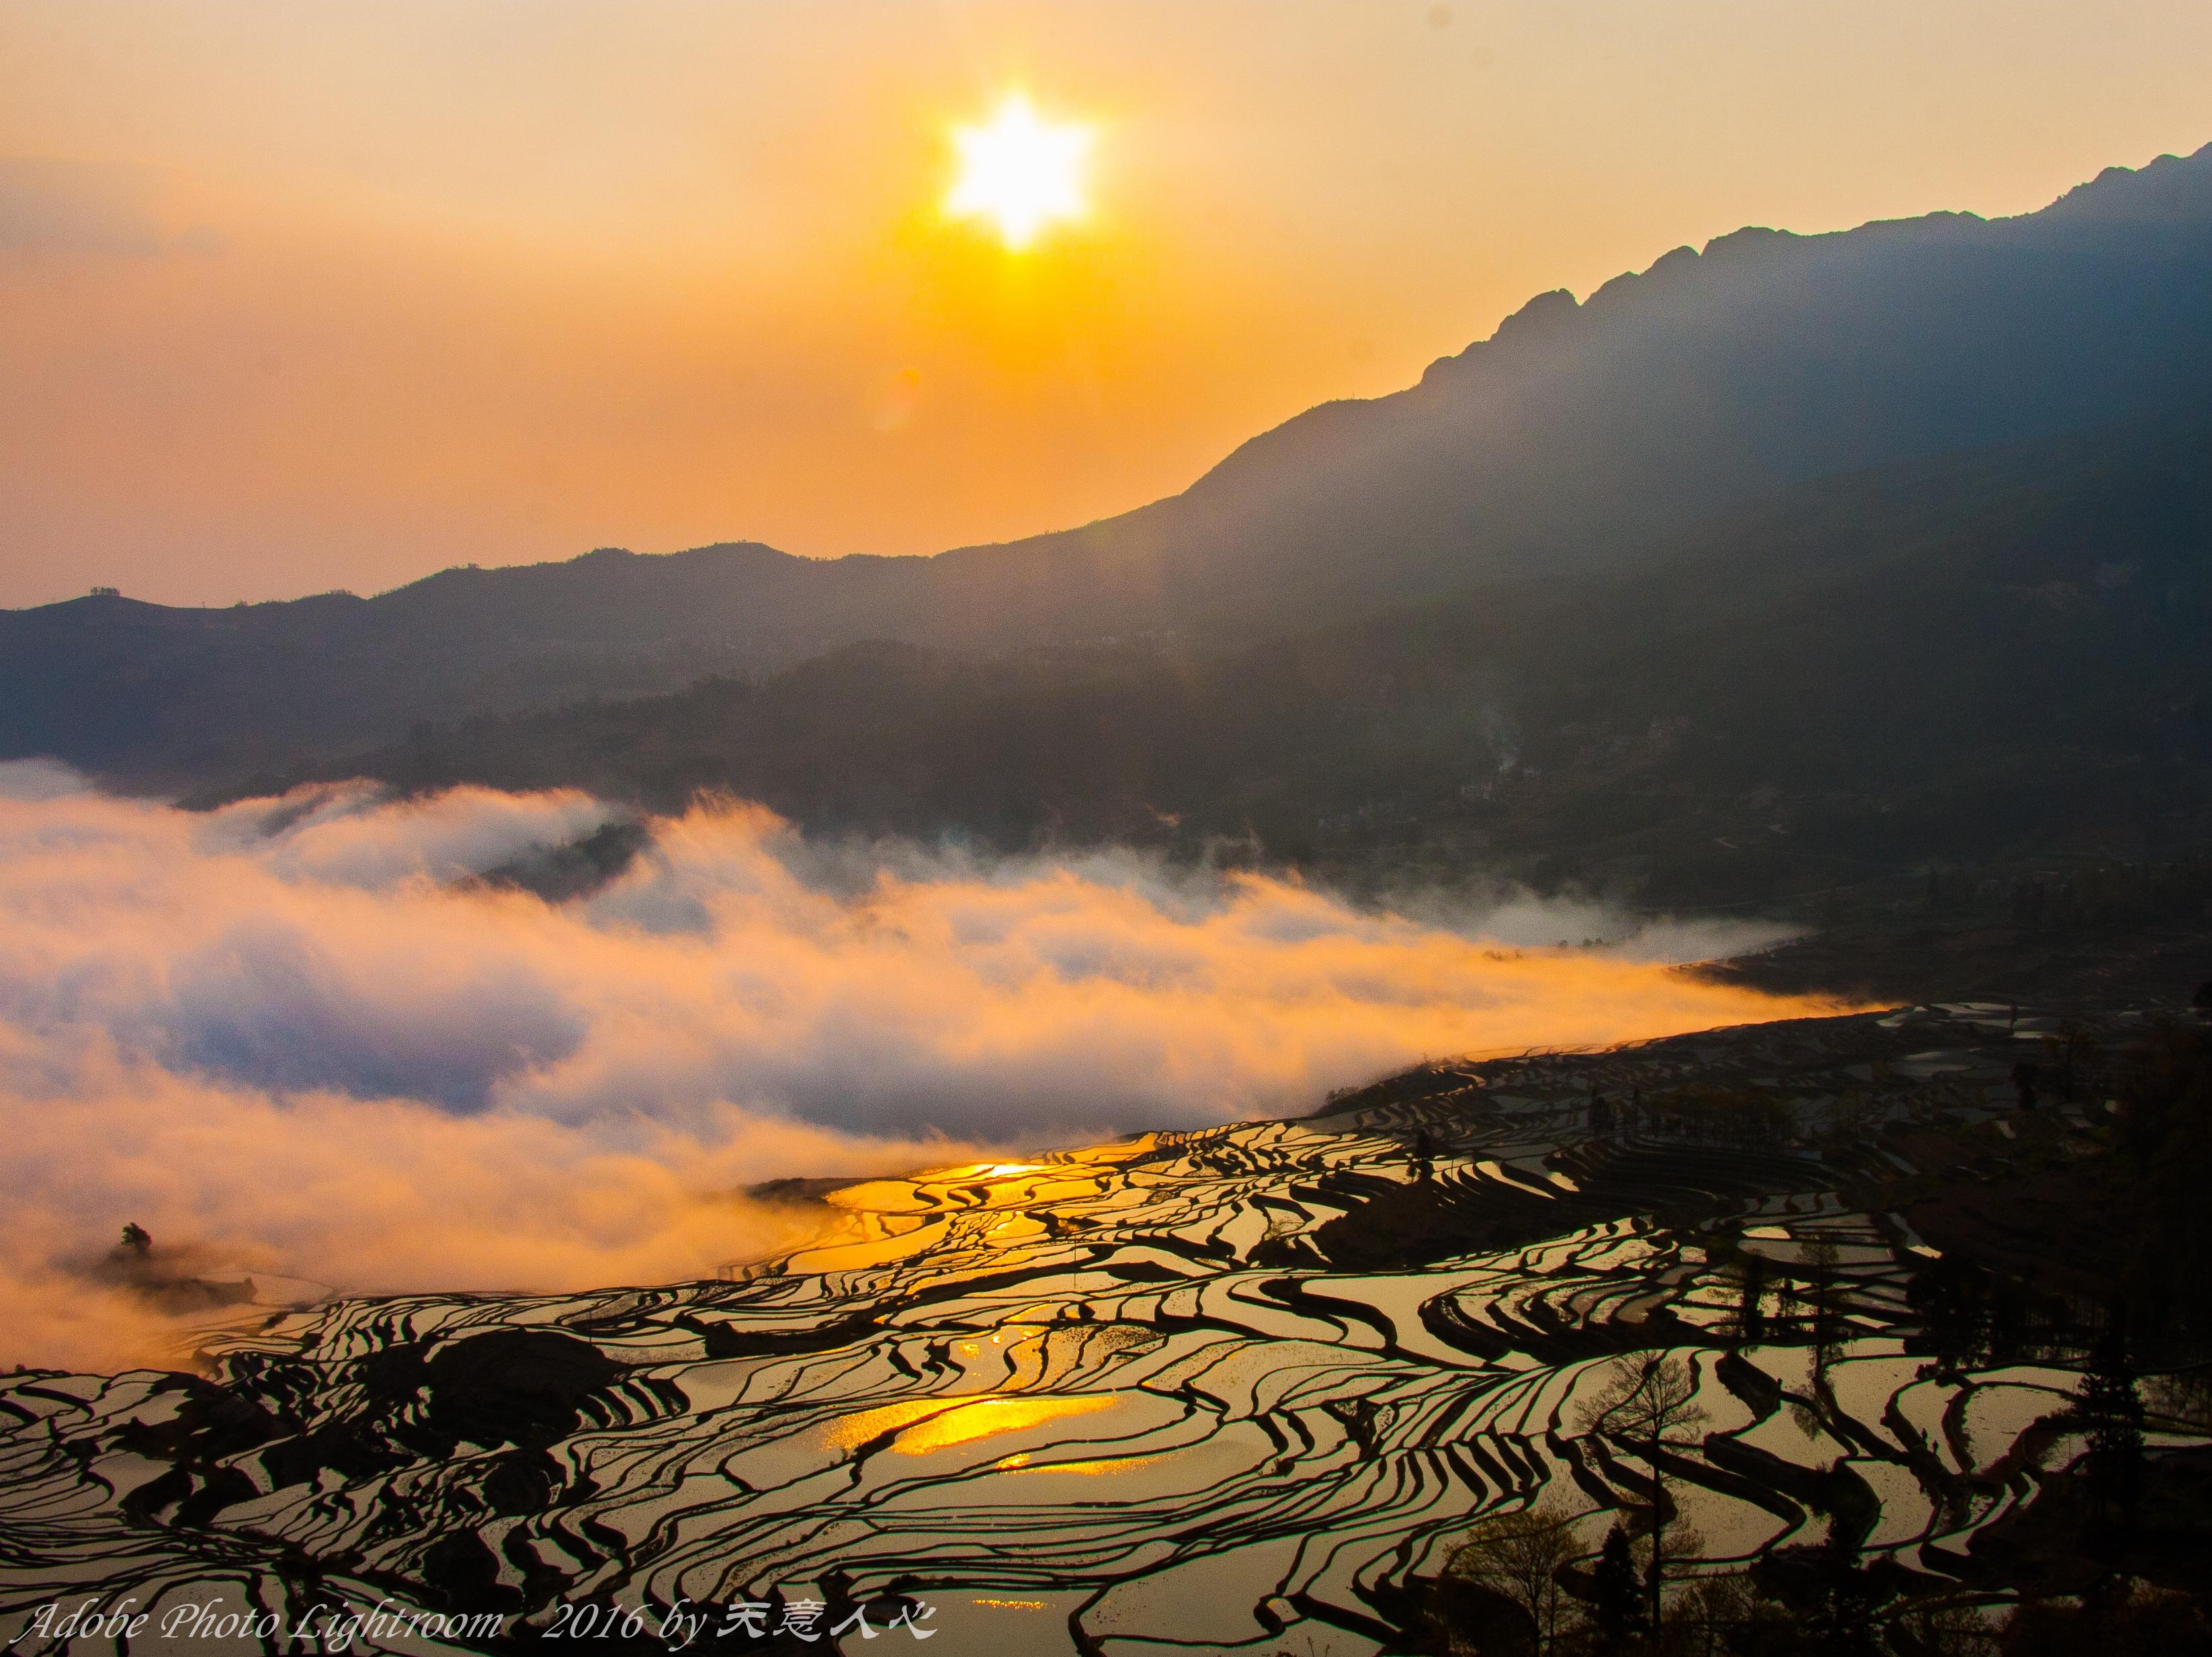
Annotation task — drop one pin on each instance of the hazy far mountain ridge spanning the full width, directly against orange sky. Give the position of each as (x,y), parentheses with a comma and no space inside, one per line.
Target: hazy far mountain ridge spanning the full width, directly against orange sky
(1578,439)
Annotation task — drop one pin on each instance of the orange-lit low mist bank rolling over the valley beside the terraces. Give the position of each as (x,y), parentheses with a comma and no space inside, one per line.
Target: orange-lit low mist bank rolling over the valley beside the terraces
(306,1039)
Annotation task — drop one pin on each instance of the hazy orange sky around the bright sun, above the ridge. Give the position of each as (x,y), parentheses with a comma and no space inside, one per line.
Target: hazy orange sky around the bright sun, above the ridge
(333,295)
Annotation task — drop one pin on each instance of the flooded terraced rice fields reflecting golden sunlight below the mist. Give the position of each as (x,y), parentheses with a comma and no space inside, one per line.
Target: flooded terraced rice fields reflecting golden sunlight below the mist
(1123,1399)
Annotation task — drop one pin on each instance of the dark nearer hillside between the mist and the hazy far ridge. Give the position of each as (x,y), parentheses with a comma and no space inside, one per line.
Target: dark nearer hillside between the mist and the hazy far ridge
(1954,660)
